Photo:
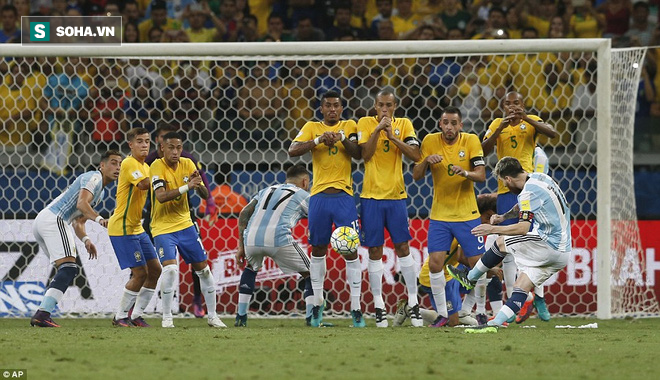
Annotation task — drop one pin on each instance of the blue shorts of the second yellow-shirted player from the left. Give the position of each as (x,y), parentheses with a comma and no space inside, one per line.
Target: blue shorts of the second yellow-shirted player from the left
(187,241)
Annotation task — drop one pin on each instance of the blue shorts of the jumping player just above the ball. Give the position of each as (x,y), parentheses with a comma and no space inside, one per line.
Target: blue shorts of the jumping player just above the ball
(326,210)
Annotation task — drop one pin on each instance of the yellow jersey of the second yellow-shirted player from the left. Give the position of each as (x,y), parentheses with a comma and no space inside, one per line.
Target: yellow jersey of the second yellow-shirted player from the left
(174,215)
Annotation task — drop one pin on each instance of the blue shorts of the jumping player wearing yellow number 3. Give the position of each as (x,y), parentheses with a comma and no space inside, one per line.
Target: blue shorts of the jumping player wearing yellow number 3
(379,214)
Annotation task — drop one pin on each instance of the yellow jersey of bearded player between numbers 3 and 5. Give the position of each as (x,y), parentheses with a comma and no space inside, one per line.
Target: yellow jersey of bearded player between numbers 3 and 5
(453,195)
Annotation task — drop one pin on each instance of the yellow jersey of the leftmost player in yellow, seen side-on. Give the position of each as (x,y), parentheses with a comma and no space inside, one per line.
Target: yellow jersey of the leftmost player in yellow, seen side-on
(127,217)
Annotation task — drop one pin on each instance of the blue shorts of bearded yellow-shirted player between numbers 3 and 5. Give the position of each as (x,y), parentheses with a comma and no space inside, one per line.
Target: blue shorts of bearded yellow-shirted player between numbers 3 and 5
(441,234)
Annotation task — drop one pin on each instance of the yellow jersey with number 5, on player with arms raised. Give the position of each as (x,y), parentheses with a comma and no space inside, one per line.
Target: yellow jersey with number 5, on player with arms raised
(516,141)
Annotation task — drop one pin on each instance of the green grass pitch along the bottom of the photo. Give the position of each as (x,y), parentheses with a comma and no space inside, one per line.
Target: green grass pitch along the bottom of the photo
(286,349)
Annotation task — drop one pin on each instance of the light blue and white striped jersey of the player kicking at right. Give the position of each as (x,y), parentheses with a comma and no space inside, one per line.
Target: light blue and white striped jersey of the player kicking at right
(552,216)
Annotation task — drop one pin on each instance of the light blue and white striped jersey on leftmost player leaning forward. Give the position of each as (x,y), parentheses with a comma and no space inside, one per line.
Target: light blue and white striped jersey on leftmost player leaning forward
(64,205)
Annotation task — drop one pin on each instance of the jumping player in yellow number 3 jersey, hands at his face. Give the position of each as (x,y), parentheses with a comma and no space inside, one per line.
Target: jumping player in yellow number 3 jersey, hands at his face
(384,139)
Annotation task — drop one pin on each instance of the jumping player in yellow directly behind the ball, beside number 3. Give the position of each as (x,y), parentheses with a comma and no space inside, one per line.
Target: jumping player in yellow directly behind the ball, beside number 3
(333,142)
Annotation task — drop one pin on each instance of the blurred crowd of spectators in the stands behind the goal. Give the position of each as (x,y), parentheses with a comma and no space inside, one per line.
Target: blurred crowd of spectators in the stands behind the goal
(256,104)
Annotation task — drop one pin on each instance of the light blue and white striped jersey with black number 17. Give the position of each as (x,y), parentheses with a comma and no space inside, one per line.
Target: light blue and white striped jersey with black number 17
(278,209)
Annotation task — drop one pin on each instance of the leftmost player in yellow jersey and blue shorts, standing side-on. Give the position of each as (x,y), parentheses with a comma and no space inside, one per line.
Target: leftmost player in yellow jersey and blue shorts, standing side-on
(129,241)
